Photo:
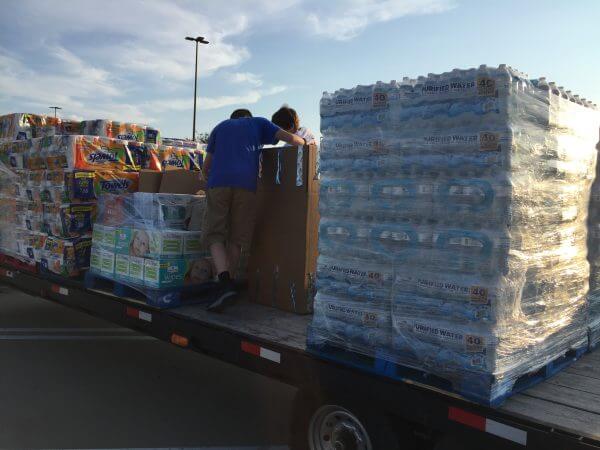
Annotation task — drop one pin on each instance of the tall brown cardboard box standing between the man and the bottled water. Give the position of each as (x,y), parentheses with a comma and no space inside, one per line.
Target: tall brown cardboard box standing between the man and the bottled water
(283,255)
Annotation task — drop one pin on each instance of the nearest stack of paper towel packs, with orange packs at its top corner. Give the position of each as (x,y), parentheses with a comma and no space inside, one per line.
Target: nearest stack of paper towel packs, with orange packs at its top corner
(51,196)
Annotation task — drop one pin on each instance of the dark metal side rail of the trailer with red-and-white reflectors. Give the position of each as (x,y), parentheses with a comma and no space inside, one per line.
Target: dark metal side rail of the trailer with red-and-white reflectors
(428,409)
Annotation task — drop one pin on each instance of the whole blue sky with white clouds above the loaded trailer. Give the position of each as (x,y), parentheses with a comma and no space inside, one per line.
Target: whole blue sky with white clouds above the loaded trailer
(127,60)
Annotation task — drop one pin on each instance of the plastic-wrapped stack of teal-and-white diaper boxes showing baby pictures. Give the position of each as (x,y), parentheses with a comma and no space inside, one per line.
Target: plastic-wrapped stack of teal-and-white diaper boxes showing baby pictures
(141,241)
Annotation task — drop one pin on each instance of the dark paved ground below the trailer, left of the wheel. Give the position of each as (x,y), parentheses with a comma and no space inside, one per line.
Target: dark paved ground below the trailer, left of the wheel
(68,380)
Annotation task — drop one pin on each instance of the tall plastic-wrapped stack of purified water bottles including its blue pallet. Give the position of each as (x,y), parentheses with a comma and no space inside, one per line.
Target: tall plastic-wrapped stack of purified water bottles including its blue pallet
(453,225)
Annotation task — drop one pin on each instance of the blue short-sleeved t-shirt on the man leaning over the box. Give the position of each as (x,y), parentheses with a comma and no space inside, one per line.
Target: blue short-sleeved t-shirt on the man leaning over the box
(235,145)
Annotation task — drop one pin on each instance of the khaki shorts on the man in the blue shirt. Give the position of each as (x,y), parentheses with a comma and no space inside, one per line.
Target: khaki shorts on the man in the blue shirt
(230,216)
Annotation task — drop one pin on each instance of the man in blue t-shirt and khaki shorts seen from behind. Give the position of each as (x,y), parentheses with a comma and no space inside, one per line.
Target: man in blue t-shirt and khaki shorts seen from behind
(231,165)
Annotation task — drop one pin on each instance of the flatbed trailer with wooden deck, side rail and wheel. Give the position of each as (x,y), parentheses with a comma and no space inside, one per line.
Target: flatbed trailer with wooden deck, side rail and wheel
(561,413)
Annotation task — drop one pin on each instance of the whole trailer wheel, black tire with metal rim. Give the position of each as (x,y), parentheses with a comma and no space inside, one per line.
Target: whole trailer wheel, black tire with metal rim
(330,424)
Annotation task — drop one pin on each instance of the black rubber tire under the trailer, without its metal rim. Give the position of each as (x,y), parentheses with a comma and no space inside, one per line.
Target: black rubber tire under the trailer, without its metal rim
(383,433)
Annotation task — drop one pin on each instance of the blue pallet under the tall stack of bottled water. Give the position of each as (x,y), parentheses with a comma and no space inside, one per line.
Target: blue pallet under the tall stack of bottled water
(483,388)
